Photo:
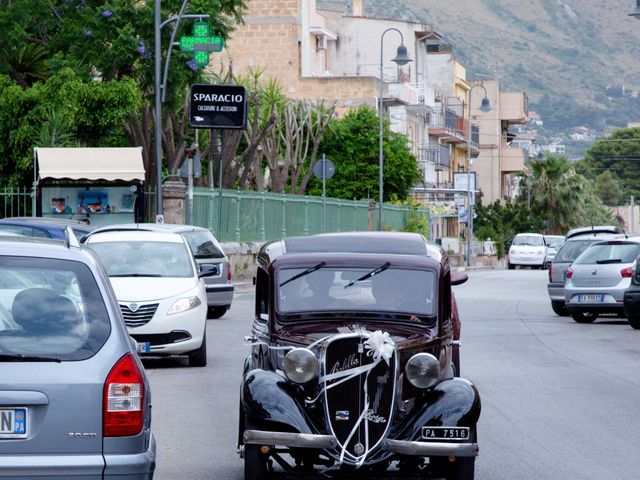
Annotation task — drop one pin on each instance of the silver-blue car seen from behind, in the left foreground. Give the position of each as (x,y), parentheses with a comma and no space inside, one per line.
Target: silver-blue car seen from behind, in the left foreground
(74,397)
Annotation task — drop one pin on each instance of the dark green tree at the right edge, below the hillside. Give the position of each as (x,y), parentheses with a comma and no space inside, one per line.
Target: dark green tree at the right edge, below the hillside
(619,153)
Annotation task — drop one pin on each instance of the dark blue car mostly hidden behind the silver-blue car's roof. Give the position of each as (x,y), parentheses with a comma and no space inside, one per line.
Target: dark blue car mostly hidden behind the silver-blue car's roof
(45,227)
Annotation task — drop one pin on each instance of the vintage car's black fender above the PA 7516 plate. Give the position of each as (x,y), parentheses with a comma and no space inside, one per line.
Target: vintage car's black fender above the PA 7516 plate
(452,403)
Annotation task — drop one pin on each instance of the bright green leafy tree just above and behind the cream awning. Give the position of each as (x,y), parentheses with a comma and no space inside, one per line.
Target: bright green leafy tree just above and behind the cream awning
(63,110)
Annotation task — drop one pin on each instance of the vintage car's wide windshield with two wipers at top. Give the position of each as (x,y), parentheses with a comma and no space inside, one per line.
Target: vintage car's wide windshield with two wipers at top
(389,290)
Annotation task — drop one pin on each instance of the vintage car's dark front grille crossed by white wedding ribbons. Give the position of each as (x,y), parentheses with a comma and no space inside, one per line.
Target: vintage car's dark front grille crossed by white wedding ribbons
(345,402)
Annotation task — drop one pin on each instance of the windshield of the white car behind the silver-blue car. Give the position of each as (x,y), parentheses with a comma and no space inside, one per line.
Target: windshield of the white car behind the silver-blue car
(144,258)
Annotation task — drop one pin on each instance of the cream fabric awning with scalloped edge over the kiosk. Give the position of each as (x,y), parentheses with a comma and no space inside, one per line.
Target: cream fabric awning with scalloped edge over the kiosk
(90,163)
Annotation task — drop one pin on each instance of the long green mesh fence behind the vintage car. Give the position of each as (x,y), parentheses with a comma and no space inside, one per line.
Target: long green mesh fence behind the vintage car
(242,216)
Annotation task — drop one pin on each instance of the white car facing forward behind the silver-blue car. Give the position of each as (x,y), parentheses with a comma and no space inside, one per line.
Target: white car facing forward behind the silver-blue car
(161,294)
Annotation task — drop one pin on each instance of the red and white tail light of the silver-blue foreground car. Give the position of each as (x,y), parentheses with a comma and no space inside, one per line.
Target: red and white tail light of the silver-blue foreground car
(123,399)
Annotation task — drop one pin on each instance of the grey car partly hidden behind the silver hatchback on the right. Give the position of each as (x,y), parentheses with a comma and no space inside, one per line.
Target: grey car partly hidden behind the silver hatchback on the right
(569,251)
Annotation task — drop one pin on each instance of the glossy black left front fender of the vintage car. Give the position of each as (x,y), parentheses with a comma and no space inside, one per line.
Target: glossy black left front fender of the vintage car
(268,397)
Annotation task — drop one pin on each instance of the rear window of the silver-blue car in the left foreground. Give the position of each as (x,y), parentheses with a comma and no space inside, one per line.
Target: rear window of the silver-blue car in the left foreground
(50,309)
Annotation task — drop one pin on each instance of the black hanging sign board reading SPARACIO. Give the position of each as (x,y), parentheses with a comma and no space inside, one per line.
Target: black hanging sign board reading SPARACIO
(218,106)
